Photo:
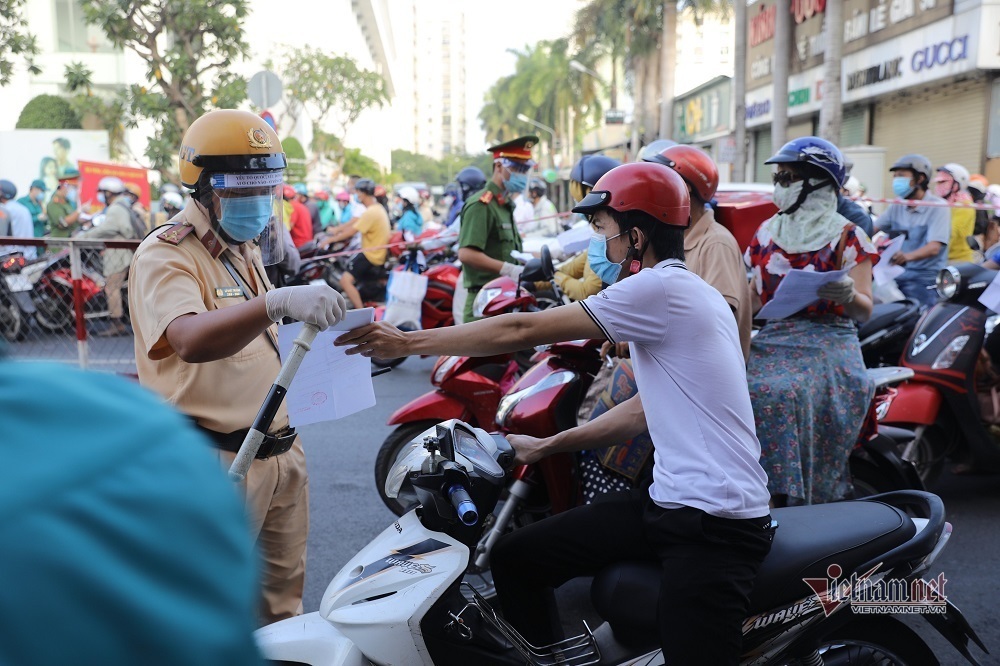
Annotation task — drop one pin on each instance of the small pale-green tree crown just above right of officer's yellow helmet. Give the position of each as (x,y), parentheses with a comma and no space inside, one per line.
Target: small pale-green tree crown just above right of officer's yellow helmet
(330,87)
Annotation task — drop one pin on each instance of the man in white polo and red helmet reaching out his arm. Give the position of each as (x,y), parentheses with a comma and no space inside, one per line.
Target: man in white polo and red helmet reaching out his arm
(705,516)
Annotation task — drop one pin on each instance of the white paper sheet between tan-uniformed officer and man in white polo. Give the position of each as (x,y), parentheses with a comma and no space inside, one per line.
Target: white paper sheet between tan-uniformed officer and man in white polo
(329,384)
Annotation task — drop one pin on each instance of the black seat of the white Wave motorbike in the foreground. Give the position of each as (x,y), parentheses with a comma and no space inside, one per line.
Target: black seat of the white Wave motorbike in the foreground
(807,541)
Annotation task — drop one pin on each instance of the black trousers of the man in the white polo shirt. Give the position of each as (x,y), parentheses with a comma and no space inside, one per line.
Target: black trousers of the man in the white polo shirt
(709,566)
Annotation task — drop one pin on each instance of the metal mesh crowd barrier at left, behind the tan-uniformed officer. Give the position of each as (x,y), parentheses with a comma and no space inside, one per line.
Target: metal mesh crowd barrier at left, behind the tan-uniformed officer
(54,306)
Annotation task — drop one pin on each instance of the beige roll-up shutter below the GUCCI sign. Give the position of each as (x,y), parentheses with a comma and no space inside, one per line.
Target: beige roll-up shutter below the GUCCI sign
(944,123)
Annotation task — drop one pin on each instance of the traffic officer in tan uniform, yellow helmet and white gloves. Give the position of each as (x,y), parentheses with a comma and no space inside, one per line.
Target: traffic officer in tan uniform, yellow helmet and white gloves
(203,312)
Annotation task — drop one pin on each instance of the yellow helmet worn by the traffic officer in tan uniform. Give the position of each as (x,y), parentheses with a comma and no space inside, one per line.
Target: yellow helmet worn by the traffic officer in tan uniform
(229,141)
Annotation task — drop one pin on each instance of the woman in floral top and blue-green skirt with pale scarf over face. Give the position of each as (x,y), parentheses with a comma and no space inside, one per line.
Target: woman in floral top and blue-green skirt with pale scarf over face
(808,383)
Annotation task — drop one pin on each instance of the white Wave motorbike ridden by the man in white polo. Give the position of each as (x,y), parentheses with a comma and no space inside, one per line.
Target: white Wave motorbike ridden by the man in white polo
(401,599)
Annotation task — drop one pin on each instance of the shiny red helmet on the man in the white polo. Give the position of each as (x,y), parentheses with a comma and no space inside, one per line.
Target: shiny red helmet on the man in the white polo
(654,189)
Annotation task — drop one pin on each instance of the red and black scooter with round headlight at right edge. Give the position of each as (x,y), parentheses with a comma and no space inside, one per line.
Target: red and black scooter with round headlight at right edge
(941,402)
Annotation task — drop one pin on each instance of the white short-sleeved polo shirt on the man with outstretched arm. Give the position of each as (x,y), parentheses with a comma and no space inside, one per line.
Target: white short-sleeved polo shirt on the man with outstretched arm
(690,372)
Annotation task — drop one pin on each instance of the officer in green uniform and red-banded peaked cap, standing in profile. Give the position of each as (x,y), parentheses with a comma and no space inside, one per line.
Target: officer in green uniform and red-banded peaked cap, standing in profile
(488,233)
